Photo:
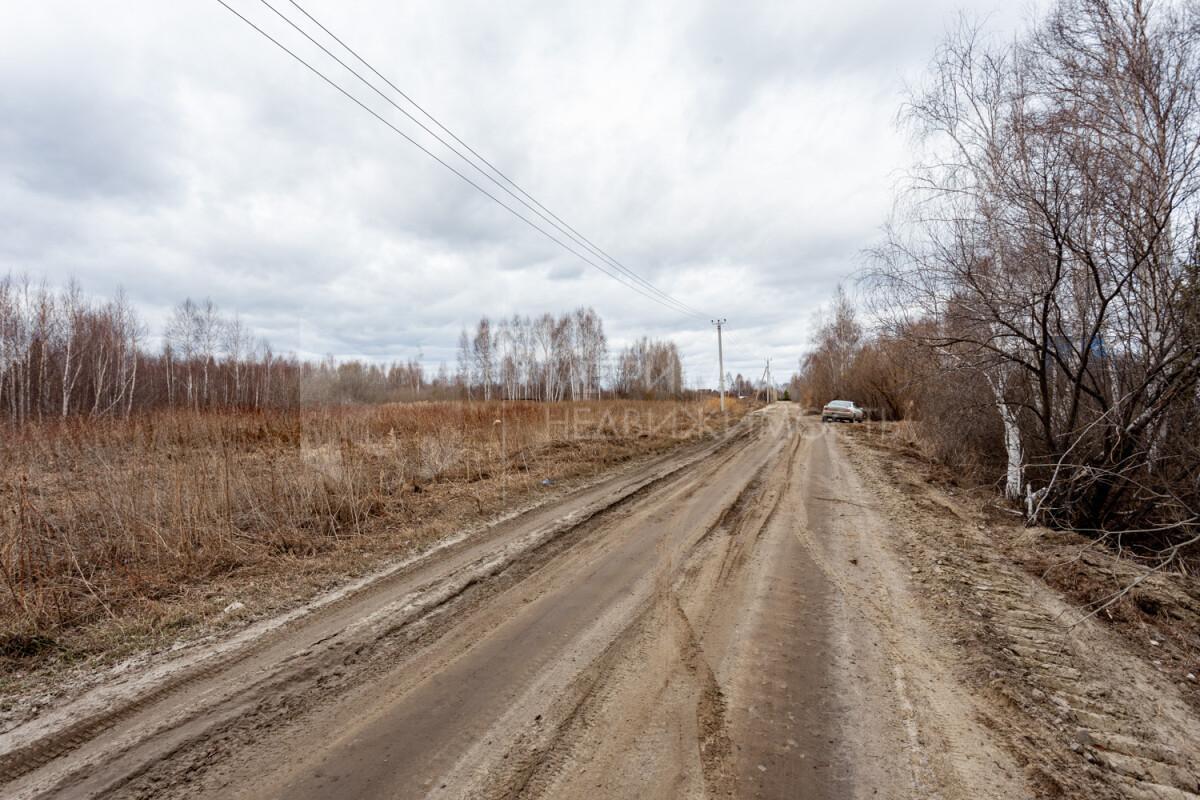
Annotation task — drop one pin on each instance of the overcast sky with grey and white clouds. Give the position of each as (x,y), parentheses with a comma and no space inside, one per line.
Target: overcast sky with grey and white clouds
(739,157)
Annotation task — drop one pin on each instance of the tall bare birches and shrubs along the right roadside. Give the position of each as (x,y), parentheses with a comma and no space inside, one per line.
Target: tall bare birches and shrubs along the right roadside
(1039,290)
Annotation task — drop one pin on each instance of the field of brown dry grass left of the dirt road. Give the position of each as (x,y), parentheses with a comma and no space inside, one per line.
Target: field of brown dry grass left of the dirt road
(119,534)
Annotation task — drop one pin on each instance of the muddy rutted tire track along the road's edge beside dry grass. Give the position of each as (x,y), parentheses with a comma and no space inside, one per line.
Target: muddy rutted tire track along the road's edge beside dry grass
(470,585)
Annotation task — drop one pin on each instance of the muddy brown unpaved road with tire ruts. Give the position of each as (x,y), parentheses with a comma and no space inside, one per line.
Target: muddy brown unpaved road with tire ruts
(739,619)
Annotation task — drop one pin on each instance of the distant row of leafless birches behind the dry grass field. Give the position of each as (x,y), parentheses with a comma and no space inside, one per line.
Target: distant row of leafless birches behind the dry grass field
(67,356)
